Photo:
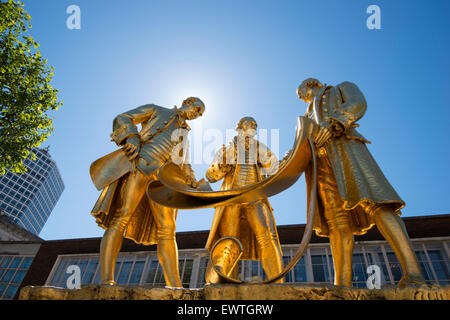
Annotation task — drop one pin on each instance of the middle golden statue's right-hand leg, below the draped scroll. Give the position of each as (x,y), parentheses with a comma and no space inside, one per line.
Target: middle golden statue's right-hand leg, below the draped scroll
(260,219)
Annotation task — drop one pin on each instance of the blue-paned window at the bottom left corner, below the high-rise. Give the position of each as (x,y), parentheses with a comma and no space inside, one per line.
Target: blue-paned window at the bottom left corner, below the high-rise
(12,271)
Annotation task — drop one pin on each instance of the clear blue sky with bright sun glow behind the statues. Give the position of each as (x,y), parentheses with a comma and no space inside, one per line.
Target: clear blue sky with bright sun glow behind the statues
(247,58)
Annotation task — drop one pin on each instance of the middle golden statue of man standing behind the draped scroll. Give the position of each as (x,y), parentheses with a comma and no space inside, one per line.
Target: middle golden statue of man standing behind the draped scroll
(245,161)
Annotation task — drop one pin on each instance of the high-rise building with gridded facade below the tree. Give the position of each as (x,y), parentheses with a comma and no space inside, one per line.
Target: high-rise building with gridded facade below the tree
(27,199)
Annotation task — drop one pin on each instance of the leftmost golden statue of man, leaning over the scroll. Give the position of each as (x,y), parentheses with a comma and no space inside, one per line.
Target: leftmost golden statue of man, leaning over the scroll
(123,208)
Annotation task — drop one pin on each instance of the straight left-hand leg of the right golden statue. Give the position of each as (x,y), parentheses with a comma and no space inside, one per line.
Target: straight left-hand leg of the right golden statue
(338,221)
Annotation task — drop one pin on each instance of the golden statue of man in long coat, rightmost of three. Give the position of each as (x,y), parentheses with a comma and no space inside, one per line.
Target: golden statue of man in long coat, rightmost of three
(353,193)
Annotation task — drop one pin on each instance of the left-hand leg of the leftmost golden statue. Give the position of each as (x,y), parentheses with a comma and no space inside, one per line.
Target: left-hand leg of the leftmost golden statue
(132,191)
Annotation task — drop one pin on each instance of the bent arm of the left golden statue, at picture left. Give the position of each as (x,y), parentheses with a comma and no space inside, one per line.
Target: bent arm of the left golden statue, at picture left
(124,125)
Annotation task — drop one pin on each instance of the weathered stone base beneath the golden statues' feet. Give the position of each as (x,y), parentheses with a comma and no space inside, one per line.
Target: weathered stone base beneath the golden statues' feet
(237,292)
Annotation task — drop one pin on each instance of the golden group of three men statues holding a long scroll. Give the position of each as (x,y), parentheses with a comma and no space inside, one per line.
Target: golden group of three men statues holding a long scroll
(143,186)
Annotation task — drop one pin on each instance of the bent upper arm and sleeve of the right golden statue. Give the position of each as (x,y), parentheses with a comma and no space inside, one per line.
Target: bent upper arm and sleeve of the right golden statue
(353,107)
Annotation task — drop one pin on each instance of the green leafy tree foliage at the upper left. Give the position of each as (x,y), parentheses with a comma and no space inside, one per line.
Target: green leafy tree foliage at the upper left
(26,94)
